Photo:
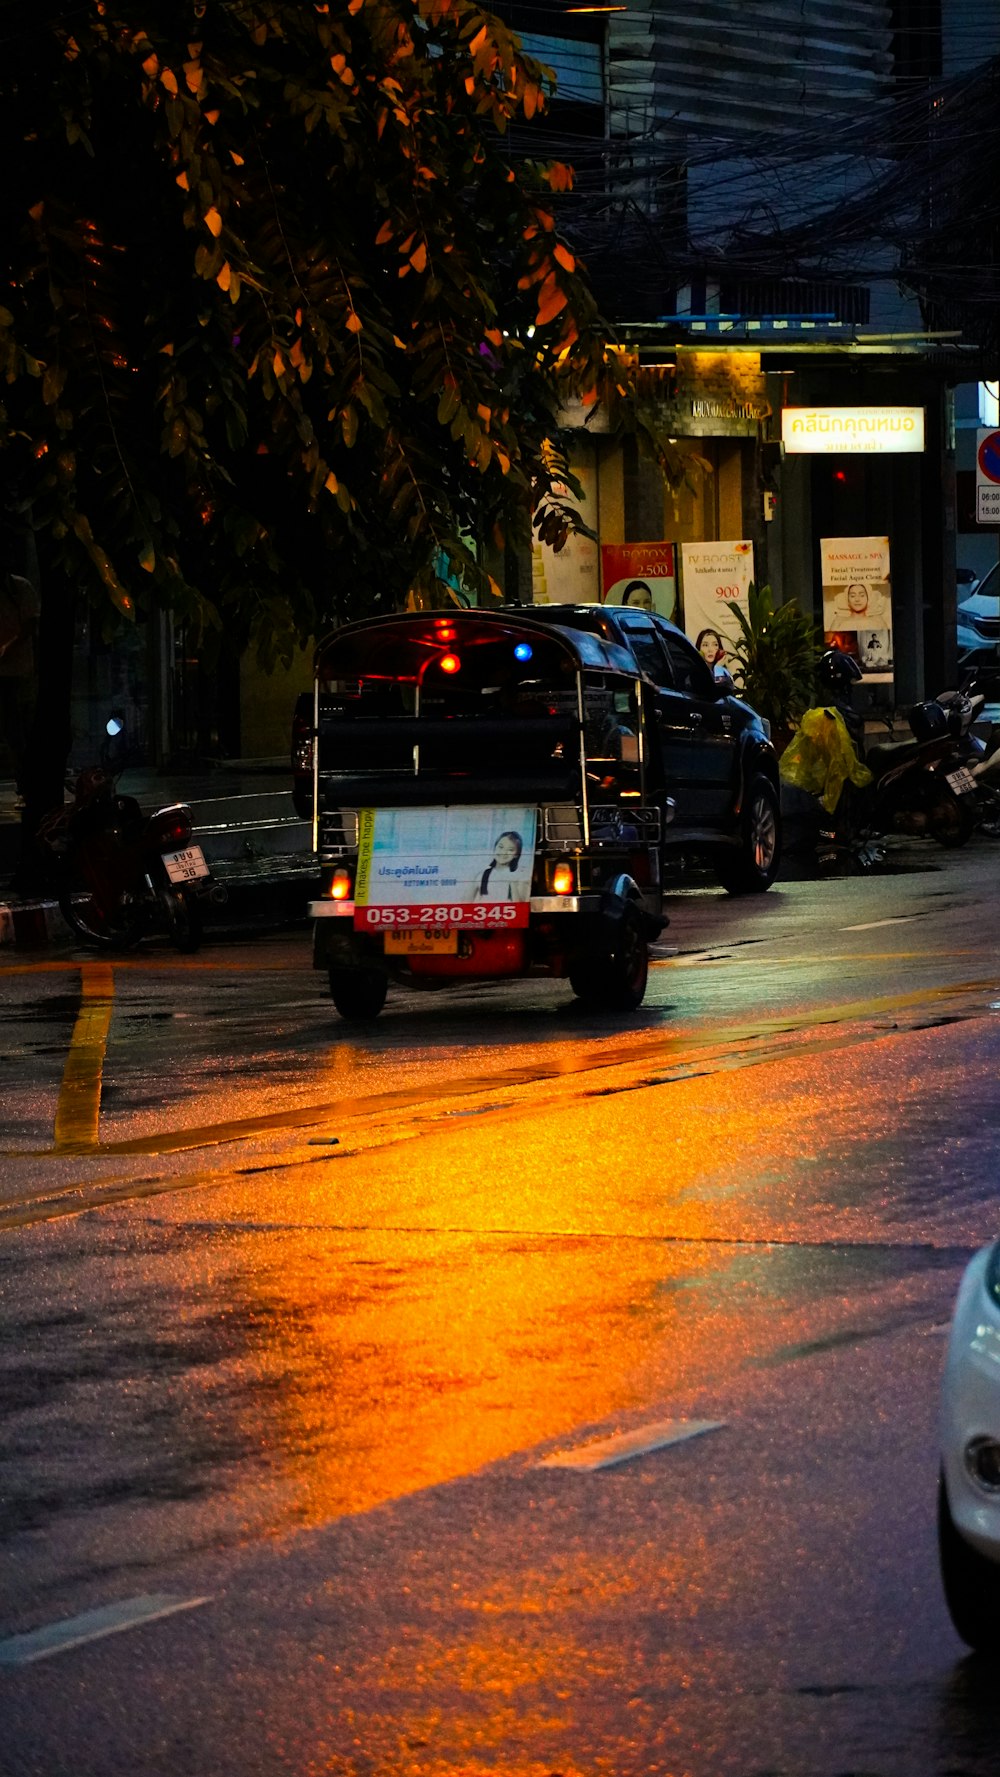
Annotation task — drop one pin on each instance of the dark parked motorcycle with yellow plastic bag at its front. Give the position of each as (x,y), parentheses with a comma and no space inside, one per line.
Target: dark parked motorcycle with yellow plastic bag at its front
(923,786)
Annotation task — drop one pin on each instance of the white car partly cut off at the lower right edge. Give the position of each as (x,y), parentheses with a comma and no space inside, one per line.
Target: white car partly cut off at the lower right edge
(969,1502)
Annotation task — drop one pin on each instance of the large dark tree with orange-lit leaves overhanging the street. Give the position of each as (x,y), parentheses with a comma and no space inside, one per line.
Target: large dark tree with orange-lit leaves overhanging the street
(283,324)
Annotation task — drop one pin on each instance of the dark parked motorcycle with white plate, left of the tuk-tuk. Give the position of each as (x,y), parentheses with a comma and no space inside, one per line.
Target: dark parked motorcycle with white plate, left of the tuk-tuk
(125,875)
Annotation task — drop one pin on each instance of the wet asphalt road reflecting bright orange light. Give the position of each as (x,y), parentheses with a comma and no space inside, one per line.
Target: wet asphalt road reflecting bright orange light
(294,1321)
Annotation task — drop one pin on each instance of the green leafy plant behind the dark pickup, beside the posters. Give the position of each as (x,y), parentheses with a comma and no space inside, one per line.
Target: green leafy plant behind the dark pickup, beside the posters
(774,660)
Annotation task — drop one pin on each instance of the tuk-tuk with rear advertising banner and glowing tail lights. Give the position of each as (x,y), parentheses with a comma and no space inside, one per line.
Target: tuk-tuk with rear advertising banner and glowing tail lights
(482,808)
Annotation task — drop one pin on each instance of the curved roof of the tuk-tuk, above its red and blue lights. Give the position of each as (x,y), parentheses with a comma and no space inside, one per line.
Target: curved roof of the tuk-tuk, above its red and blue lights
(429,630)
